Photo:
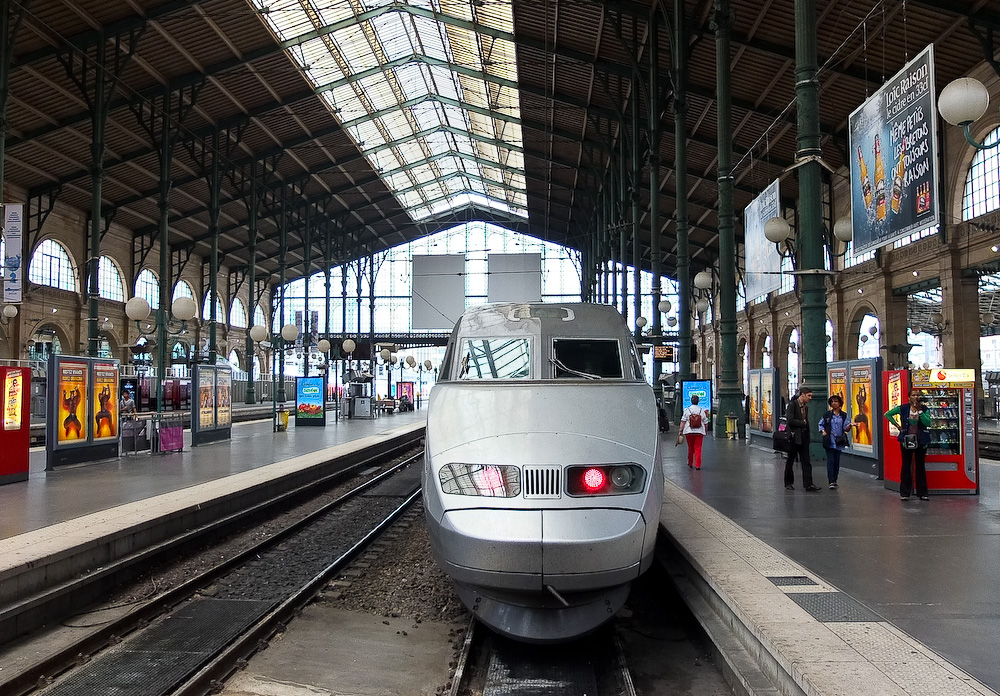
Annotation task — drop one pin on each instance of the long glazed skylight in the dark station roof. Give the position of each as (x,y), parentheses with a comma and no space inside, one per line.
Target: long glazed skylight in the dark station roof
(426,88)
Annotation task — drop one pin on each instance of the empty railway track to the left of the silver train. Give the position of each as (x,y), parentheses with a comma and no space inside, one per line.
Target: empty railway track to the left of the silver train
(186,640)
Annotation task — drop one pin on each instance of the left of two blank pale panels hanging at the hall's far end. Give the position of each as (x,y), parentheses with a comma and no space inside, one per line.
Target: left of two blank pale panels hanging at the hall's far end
(438,291)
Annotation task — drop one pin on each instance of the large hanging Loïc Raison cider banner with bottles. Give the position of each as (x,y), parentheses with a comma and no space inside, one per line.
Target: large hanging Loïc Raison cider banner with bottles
(893,146)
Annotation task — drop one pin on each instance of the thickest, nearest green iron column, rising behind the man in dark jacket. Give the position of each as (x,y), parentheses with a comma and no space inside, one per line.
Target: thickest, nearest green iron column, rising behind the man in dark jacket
(812,278)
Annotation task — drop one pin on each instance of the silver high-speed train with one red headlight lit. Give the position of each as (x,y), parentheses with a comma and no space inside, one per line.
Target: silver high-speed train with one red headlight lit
(542,481)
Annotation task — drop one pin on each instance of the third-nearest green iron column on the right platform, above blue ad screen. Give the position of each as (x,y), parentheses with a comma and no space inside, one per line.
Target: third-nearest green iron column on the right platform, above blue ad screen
(680,175)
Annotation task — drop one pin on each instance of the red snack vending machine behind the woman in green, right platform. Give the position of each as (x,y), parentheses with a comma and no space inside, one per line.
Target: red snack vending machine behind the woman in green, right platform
(953,454)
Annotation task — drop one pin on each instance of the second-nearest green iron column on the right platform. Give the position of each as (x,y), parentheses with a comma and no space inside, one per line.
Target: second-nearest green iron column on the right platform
(730,393)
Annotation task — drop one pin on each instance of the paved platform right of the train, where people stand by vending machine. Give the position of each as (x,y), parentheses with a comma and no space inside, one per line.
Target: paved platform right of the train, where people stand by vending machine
(845,591)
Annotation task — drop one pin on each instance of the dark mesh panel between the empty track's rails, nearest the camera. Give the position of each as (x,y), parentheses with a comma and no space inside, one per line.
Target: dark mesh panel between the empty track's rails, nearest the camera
(164,654)
